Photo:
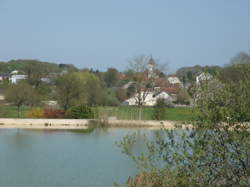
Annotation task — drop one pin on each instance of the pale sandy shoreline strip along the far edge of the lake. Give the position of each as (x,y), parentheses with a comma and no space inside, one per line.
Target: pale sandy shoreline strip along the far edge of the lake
(75,124)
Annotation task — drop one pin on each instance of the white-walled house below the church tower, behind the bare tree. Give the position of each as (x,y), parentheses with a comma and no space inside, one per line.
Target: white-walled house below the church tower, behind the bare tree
(150,100)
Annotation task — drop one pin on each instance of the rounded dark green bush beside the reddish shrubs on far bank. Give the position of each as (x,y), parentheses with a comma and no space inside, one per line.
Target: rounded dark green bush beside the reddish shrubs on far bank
(81,112)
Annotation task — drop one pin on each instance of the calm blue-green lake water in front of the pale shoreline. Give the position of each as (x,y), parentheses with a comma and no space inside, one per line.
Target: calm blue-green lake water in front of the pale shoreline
(64,159)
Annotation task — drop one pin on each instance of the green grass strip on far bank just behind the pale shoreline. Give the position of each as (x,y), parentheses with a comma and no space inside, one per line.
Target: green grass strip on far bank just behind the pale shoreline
(121,113)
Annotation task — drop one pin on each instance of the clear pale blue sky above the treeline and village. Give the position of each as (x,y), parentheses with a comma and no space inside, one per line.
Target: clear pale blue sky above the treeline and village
(100,34)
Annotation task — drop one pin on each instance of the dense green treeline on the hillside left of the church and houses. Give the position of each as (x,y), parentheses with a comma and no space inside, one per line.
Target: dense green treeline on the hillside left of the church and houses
(63,83)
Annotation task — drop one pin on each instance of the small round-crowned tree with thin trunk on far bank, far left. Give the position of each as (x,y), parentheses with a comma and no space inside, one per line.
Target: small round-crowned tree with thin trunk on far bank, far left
(21,94)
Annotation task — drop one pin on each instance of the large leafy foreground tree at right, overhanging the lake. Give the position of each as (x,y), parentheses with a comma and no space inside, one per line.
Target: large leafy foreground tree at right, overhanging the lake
(214,153)
